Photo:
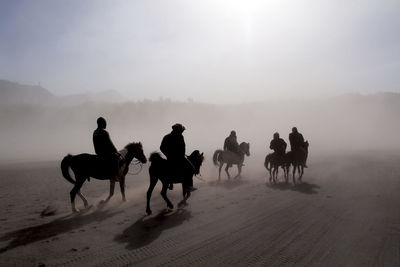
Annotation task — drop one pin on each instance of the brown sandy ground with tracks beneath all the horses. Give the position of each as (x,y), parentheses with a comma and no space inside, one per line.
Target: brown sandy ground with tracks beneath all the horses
(346,212)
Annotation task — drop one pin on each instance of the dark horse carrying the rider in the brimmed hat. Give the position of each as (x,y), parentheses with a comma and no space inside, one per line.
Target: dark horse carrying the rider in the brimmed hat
(158,170)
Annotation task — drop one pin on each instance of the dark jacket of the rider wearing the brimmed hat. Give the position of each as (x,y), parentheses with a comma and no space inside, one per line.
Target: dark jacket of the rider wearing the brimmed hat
(173,146)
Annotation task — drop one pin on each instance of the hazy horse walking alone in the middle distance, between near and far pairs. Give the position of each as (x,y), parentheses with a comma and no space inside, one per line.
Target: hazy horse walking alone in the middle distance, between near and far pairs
(228,157)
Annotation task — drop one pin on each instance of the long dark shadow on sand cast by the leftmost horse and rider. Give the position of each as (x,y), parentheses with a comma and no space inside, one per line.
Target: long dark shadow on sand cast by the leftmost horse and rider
(61,225)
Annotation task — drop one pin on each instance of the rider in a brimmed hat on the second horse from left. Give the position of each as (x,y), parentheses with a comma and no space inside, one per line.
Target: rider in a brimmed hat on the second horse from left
(173,147)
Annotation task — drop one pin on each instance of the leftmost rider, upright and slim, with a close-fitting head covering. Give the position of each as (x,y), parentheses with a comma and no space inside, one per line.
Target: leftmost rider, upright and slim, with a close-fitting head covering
(105,149)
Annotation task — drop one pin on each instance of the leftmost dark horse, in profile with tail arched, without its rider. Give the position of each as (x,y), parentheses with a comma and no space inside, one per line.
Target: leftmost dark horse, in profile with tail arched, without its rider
(85,166)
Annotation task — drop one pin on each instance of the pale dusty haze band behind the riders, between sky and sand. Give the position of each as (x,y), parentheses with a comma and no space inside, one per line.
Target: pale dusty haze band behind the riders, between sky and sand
(37,132)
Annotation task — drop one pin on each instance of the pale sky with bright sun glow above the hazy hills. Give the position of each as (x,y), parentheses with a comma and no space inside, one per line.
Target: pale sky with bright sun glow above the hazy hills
(217,51)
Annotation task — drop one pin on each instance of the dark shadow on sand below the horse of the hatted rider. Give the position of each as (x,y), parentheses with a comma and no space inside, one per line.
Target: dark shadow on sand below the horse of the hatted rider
(144,231)
